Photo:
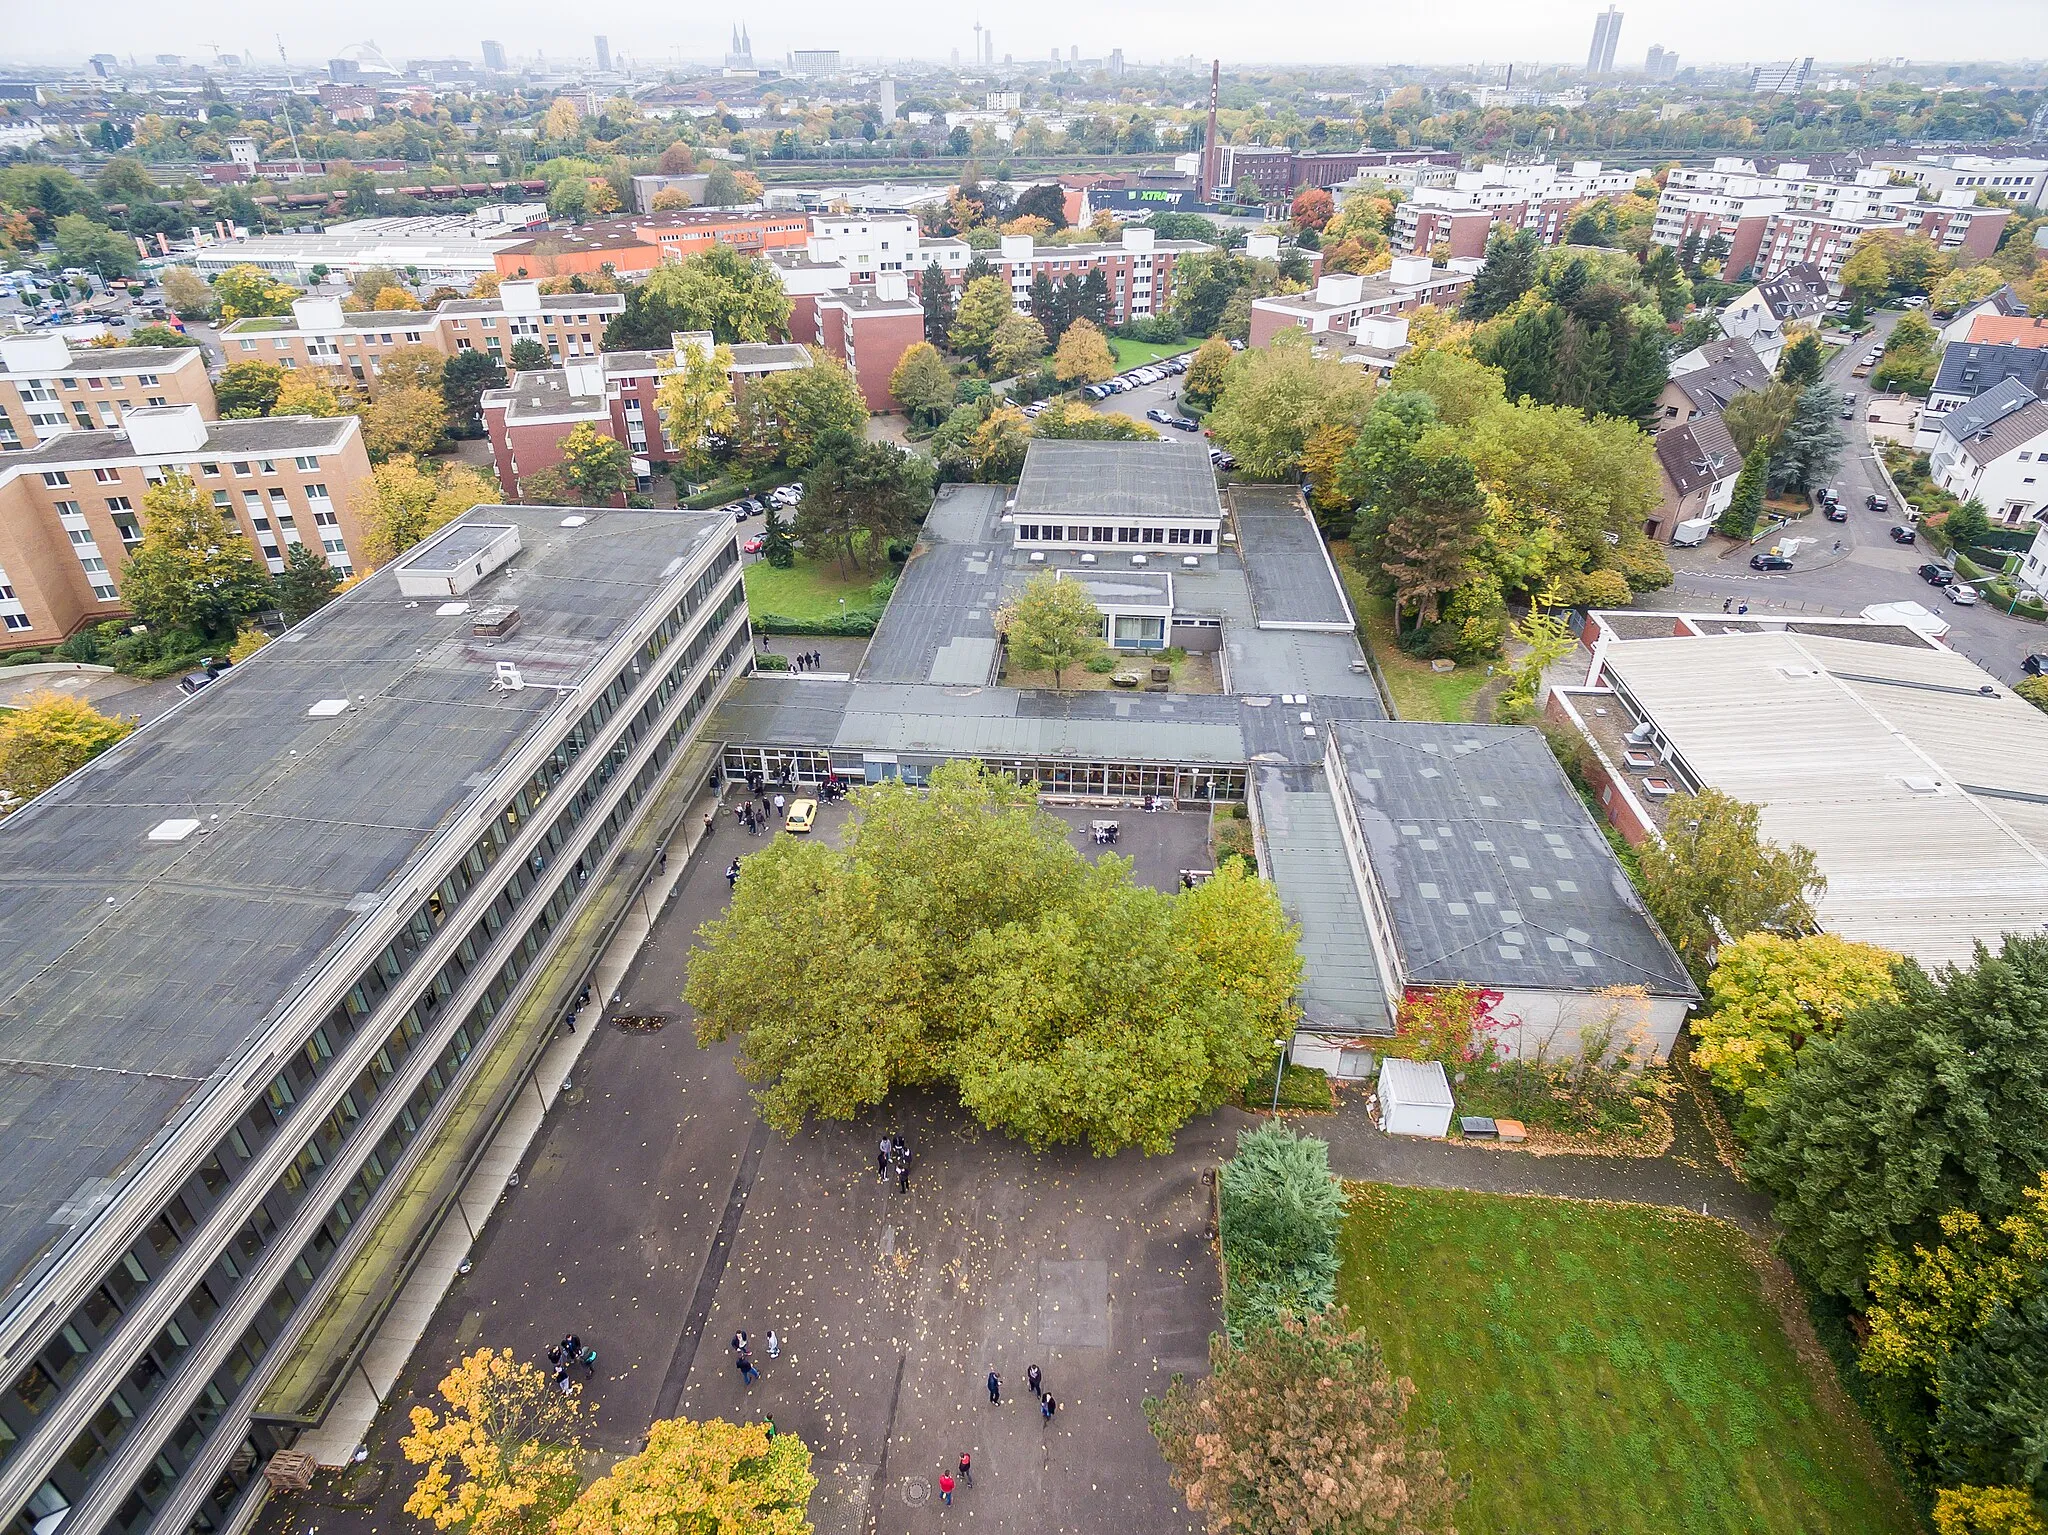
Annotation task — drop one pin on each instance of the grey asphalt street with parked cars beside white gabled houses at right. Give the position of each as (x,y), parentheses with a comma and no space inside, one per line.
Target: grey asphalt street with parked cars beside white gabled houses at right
(1869,568)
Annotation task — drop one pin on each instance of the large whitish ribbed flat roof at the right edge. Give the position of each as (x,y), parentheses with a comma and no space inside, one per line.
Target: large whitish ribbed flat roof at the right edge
(1912,775)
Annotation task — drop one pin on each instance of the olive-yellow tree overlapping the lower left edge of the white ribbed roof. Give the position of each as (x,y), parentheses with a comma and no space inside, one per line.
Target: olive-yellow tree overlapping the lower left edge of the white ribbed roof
(1713,879)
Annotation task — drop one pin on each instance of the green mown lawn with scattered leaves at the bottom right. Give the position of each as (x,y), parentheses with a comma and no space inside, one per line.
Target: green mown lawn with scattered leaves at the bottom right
(1607,1368)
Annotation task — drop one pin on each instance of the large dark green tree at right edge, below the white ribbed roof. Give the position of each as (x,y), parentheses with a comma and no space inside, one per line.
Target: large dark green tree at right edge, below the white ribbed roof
(1924,1104)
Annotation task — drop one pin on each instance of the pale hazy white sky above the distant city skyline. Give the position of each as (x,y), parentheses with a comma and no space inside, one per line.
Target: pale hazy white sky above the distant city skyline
(1238,30)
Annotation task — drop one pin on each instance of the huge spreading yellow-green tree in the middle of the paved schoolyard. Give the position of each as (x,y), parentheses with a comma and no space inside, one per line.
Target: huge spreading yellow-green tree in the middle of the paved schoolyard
(959,940)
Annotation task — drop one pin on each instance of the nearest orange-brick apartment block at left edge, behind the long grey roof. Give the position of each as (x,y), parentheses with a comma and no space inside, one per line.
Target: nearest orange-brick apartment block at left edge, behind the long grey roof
(71,509)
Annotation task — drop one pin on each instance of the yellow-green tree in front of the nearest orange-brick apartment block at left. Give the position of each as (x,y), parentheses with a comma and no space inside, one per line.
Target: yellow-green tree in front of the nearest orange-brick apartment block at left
(191,572)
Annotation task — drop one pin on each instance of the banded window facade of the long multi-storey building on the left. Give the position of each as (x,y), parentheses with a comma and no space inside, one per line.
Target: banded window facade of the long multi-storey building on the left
(372,1123)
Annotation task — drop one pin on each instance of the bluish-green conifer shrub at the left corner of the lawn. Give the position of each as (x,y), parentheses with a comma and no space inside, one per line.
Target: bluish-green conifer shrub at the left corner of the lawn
(1281,1217)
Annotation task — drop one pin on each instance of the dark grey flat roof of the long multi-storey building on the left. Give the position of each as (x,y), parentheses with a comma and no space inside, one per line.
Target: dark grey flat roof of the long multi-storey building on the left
(134,973)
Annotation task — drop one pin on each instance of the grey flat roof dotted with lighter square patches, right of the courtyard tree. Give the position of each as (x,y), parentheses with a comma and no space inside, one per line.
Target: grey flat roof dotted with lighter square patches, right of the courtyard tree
(1492,865)
